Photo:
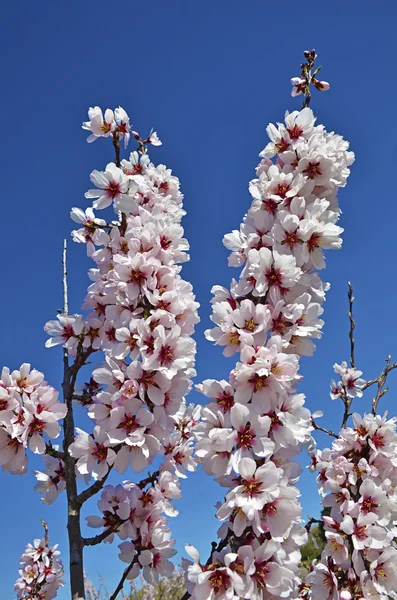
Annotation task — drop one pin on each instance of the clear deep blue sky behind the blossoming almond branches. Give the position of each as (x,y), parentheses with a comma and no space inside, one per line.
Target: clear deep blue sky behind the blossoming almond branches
(209,76)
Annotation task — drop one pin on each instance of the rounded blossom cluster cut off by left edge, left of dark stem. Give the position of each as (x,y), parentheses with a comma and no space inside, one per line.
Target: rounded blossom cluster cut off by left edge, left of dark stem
(29,411)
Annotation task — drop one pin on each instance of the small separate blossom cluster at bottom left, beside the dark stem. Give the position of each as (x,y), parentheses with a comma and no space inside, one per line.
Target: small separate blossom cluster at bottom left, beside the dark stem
(42,572)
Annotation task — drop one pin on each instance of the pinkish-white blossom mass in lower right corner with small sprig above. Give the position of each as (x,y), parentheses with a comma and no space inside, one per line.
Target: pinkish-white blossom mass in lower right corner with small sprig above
(357,480)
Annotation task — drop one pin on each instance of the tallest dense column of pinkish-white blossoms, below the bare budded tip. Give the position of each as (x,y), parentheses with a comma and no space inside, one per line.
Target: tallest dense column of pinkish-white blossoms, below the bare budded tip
(255,422)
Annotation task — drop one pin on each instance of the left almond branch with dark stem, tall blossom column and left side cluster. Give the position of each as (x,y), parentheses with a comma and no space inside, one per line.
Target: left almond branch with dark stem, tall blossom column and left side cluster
(141,314)
